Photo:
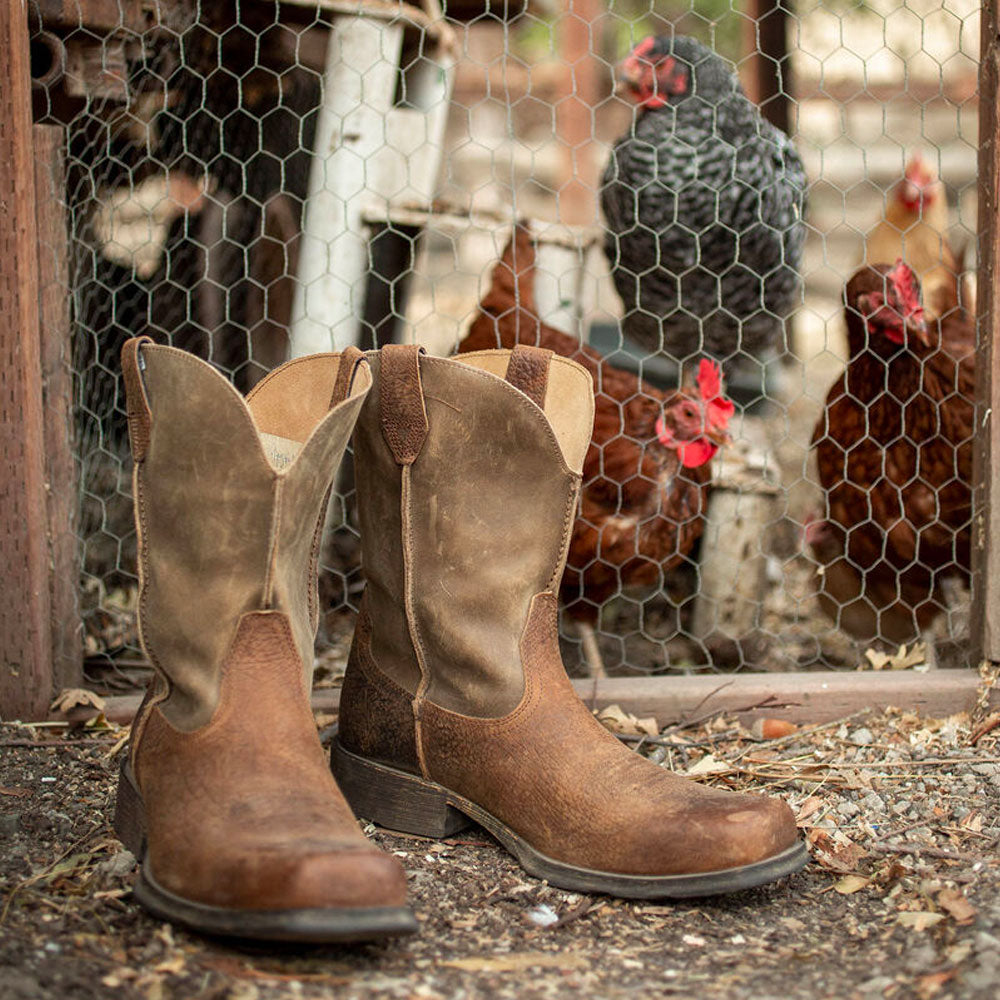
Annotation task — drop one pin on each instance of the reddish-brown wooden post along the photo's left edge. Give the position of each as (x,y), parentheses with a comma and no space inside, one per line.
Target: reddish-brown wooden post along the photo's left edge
(25,637)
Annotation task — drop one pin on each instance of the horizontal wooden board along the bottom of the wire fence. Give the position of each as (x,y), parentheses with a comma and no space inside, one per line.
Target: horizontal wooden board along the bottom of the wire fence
(804,698)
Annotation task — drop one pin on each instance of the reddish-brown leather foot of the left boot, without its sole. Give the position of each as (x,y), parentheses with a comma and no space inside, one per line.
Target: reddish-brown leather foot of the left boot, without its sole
(243,813)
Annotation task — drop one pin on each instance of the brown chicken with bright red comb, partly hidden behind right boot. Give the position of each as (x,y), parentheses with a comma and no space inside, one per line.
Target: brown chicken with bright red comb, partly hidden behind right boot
(646,474)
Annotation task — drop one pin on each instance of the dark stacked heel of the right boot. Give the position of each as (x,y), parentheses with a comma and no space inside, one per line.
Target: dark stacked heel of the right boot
(394,799)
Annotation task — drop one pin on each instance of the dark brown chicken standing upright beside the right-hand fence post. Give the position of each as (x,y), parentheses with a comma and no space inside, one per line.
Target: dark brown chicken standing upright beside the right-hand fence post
(894,449)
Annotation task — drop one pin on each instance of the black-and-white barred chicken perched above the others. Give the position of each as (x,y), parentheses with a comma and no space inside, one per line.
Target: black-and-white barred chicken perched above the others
(704,201)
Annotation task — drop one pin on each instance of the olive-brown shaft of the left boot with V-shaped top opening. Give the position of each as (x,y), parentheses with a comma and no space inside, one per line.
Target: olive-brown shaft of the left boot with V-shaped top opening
(230,495)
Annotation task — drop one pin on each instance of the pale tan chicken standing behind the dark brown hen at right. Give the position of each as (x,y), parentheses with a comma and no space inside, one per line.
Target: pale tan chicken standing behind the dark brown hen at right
(915,228)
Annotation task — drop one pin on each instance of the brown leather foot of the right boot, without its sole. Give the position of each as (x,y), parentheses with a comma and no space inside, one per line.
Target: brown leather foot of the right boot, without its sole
(559,779)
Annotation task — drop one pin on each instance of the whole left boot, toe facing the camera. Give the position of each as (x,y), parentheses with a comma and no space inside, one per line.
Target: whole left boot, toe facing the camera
(226,796)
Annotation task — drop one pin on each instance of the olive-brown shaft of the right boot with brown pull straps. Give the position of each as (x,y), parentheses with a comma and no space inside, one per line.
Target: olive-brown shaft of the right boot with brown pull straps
(468,474)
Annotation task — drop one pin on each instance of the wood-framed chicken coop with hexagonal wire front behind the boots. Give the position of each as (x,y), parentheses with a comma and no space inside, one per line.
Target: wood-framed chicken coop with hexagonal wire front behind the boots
(768,231)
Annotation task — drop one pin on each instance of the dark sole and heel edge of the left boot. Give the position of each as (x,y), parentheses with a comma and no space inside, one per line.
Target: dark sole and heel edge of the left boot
(309,925)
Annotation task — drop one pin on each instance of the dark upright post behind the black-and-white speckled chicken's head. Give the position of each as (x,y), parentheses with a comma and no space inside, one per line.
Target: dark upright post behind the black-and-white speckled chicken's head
(767,73)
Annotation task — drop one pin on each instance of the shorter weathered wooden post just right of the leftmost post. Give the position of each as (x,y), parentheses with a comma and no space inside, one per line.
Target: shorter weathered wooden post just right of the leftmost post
(57,398)
